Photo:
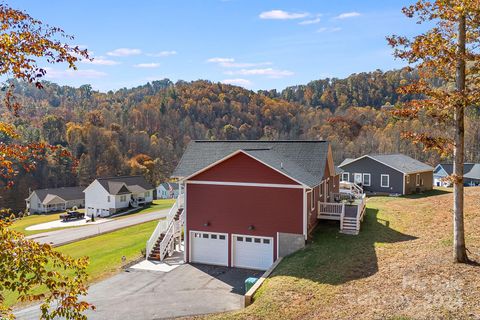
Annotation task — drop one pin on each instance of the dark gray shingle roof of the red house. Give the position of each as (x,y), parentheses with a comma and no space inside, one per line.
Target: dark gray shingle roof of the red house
(303,161)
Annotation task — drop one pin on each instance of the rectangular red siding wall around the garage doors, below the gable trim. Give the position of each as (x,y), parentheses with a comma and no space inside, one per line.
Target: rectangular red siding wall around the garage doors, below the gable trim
(232,209)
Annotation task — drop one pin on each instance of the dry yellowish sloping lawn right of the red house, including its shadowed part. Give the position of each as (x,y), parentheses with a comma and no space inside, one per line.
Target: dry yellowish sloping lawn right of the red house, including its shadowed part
(398,267)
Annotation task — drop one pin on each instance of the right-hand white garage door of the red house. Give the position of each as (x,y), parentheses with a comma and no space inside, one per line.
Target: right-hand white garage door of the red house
(252,252)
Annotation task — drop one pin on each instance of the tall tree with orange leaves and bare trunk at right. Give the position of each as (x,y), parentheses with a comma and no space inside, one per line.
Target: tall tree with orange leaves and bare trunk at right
(448,63)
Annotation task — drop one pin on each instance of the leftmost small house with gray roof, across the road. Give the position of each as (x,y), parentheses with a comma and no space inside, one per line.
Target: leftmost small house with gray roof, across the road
(56,199)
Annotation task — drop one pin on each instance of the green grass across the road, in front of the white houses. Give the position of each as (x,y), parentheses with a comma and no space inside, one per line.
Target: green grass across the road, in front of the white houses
(21,224)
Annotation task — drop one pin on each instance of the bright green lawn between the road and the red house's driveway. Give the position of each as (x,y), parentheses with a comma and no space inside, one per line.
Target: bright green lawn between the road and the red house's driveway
(105,252)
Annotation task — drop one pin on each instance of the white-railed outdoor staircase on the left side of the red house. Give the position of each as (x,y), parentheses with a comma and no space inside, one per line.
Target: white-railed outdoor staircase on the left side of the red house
(167,236)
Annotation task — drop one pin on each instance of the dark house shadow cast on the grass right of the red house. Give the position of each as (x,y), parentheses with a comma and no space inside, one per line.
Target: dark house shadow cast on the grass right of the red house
(335,258)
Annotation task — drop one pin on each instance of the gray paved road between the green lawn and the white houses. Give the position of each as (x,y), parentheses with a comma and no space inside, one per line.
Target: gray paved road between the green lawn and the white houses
(64,236)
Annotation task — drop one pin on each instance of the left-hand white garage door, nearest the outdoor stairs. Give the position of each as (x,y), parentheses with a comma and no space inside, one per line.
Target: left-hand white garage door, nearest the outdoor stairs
(209,248)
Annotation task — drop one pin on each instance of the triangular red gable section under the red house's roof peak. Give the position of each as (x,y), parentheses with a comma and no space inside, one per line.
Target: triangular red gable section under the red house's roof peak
(243,168)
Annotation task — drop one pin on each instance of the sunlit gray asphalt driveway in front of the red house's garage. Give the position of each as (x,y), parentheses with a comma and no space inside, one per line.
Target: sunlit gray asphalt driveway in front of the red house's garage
(185,291)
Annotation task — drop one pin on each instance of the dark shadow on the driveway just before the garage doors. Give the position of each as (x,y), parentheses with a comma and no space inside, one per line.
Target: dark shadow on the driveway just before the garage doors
(234,277)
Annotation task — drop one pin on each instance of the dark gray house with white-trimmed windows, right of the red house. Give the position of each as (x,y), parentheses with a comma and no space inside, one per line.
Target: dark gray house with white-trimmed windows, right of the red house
(388,173)
